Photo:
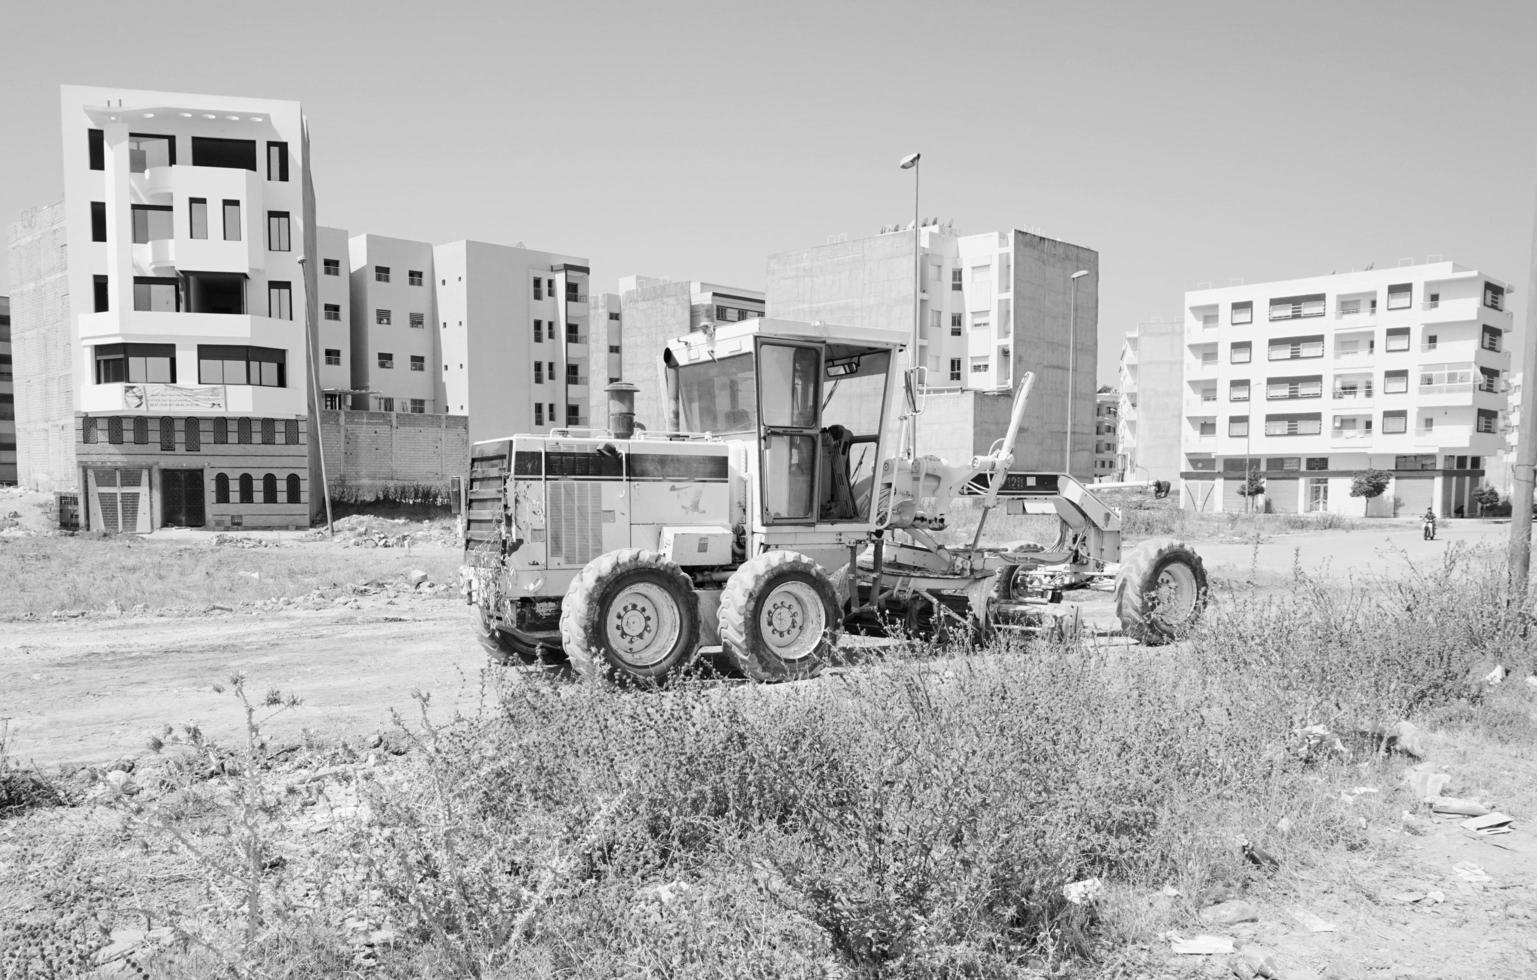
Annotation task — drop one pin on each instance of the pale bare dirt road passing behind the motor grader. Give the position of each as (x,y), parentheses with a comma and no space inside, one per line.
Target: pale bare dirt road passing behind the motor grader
(91,689)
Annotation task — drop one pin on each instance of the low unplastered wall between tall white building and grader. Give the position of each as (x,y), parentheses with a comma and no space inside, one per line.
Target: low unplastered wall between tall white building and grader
(370,452)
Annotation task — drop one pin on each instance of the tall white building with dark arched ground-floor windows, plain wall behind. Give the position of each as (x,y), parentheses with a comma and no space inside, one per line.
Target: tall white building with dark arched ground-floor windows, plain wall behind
(179,305)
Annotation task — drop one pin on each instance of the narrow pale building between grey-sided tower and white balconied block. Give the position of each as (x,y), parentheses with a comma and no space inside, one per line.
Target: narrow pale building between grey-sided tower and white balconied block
(1152,408)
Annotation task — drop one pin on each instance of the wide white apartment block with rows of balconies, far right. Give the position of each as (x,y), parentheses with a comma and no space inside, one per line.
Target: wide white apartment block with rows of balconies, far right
(1312,382)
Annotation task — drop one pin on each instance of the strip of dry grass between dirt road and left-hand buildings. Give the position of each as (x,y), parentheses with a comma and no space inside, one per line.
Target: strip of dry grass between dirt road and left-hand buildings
(90,574)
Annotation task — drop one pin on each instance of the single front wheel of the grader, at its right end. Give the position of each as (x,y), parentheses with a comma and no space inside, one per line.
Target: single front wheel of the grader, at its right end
(1161,592)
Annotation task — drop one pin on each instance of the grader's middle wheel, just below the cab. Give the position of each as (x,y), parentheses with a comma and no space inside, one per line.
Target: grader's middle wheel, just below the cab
(780,617)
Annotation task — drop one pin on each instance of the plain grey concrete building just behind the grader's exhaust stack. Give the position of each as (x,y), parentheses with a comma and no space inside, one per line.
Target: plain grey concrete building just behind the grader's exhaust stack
(659,311)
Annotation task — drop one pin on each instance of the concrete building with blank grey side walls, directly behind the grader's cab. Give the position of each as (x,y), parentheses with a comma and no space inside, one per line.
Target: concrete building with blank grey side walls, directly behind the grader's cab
(992,308)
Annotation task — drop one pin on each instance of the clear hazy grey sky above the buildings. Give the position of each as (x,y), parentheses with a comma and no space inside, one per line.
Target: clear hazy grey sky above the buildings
(1189,142)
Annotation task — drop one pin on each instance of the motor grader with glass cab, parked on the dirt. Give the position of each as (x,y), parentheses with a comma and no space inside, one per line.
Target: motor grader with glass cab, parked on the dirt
(780,505)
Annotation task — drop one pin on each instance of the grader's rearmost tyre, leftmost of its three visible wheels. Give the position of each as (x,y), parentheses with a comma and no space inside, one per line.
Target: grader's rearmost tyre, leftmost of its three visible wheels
(631,617)
